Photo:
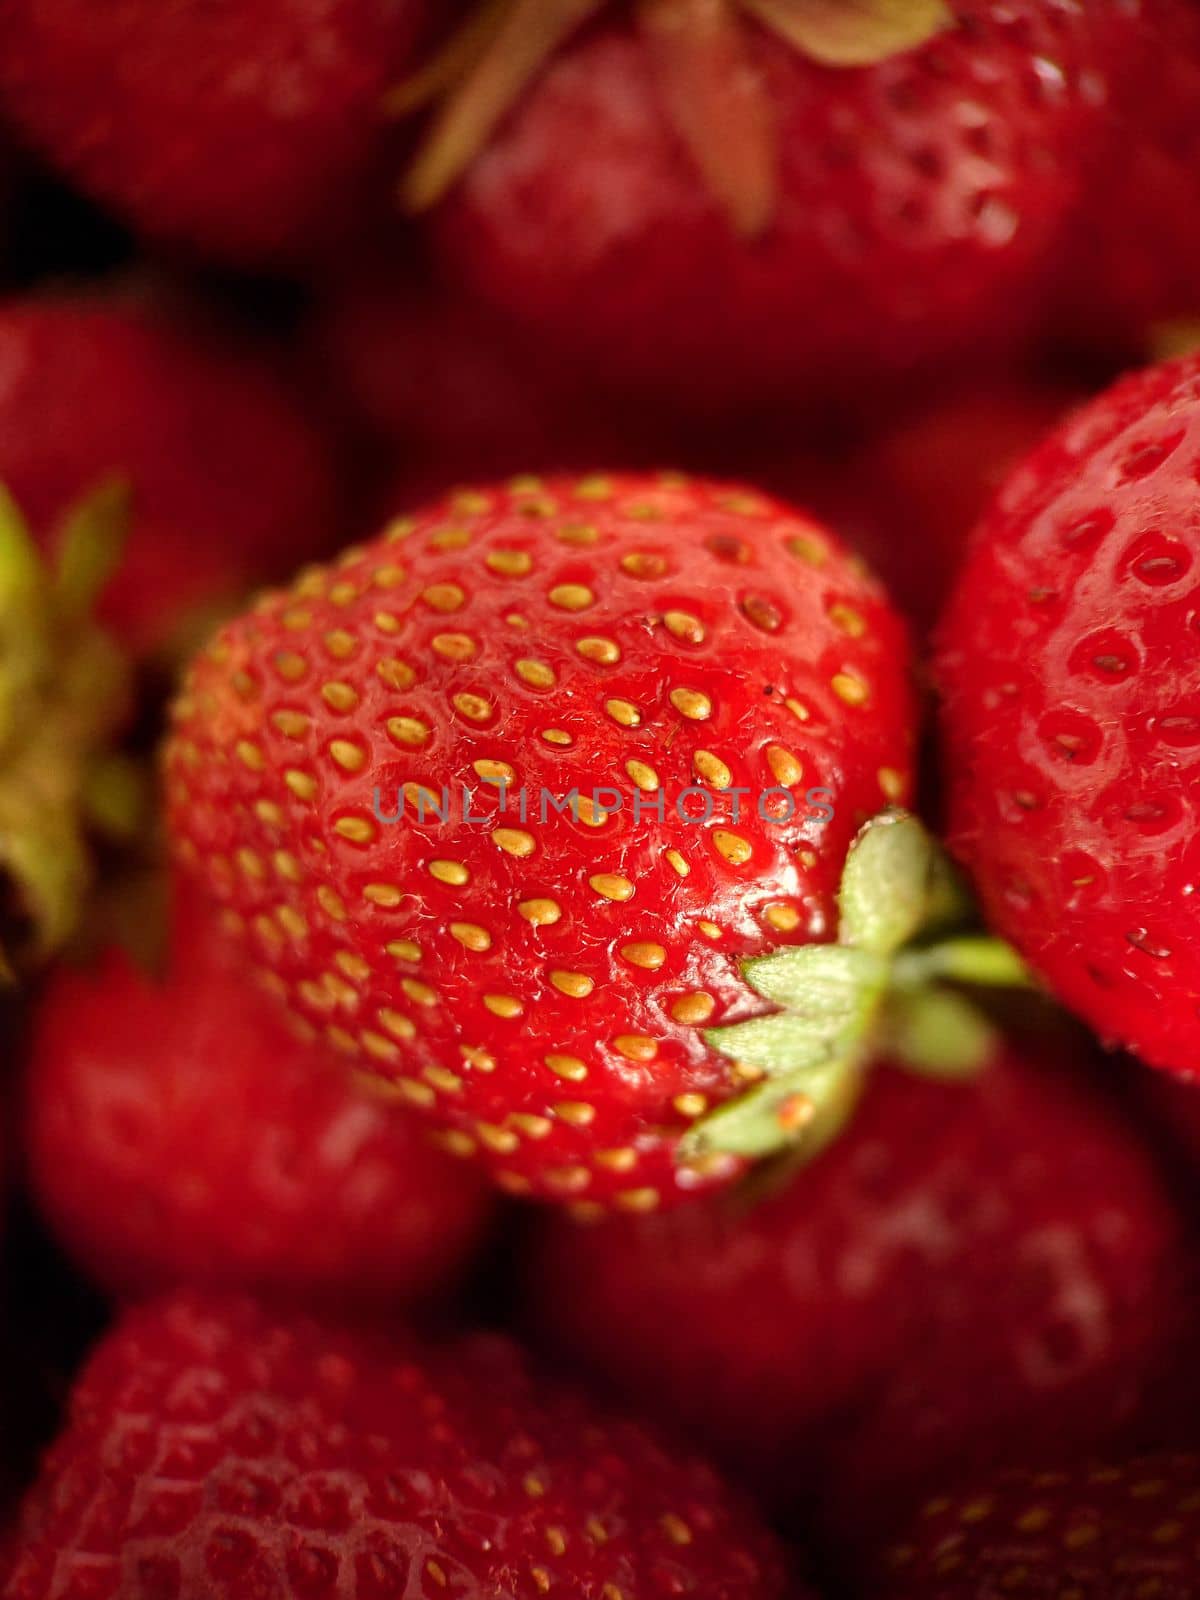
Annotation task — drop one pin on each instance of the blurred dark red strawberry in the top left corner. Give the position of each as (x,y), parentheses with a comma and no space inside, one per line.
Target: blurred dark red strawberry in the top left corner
(249,132)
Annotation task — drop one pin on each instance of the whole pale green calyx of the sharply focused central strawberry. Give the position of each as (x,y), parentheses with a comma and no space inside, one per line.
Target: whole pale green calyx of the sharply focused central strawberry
(887,988)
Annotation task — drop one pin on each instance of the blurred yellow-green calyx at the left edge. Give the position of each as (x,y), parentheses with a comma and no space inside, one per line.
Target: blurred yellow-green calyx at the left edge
(63,690)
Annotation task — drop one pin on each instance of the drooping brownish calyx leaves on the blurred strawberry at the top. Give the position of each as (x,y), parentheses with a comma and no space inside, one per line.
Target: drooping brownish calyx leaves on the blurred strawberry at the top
(711,92)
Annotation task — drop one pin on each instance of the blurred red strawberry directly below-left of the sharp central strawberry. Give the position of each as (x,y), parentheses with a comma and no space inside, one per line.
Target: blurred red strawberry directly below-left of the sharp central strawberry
(178,1132)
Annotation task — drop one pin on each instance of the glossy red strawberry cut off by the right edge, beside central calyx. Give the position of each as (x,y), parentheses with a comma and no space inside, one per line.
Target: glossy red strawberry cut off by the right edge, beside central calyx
(1073,714)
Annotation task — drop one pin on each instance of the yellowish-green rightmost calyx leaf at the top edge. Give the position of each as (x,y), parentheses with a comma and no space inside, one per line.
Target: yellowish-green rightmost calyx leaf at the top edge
(852,33)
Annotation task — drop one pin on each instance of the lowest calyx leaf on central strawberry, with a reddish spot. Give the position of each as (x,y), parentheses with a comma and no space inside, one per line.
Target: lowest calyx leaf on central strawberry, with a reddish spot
(772,1116)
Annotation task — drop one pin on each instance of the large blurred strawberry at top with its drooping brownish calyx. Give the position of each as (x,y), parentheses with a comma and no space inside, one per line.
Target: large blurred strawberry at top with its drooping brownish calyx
(726,201)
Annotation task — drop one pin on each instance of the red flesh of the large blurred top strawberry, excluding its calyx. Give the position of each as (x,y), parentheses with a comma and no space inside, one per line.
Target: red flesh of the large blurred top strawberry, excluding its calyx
(906,231)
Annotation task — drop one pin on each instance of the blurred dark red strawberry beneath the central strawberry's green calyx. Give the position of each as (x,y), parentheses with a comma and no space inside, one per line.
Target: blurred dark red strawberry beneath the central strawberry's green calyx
(969,1273)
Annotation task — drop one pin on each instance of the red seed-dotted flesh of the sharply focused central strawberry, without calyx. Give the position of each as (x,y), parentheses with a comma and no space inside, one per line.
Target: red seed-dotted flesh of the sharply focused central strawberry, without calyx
(540,986)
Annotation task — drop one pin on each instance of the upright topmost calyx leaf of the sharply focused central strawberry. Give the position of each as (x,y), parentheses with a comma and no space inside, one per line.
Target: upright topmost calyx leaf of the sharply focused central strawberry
(886,884)
